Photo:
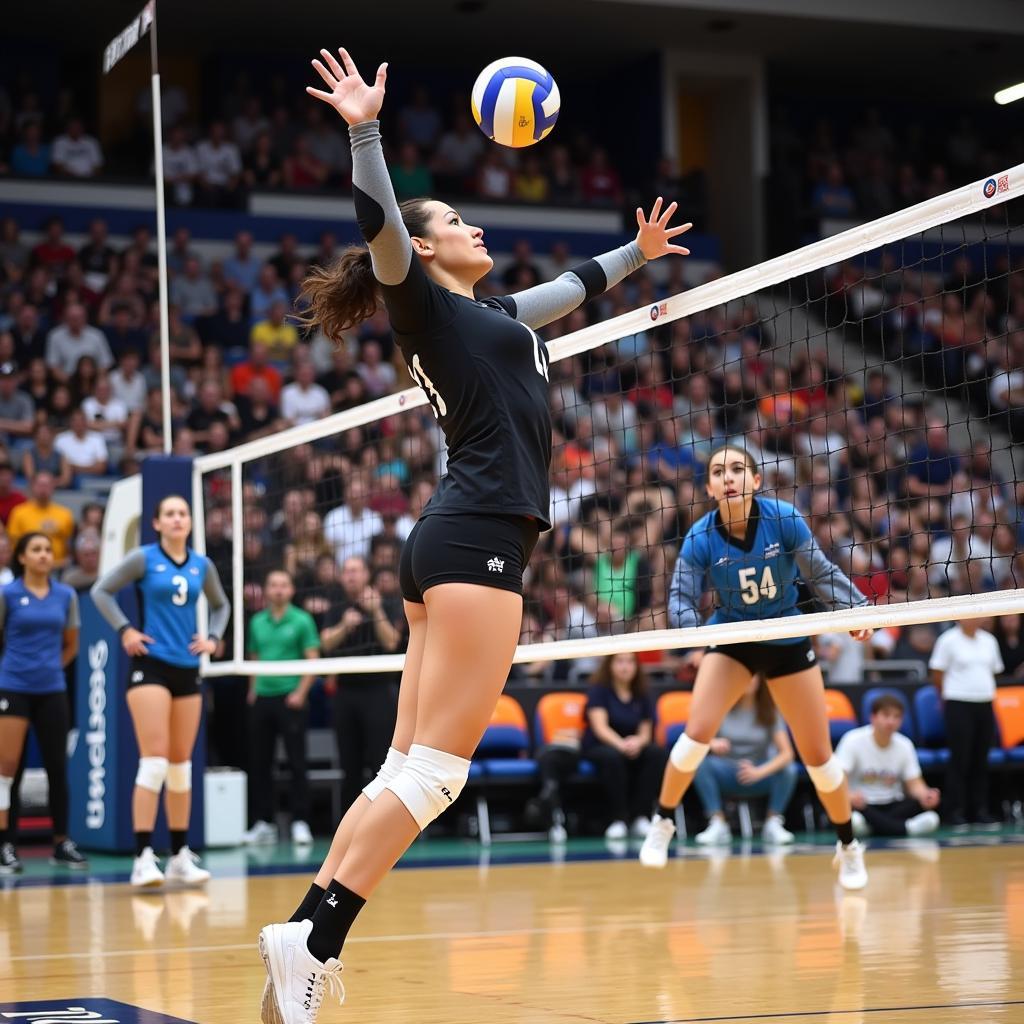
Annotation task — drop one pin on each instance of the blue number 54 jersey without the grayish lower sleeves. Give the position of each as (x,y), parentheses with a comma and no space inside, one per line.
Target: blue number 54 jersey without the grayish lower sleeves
(755,577)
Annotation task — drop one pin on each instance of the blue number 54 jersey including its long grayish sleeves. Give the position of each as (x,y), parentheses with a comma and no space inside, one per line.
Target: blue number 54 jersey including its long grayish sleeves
(755,577)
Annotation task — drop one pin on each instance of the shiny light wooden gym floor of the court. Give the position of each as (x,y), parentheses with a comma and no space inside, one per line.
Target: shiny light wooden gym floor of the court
(936,938)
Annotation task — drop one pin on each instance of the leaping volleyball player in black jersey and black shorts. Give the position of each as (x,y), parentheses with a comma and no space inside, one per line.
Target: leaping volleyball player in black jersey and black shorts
(486,374)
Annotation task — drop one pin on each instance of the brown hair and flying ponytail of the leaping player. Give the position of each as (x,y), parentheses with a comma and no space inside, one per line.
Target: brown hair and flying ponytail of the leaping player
(346,293)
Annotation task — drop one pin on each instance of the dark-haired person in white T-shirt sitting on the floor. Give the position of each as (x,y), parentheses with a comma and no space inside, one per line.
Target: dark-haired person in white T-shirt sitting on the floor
(887,792)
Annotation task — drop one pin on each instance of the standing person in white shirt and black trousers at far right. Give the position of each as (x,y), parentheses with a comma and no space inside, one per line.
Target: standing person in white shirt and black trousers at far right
(965,663)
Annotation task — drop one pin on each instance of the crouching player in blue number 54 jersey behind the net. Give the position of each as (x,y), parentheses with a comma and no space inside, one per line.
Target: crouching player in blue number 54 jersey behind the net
(751,551)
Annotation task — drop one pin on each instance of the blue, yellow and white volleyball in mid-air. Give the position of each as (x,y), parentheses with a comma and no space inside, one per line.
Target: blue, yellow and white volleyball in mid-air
(516,102)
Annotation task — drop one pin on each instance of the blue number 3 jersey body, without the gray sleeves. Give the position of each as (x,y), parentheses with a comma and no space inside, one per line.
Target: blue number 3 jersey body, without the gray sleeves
(168,593)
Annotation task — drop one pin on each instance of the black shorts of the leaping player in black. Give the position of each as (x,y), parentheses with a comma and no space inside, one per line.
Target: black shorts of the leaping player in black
(488,550)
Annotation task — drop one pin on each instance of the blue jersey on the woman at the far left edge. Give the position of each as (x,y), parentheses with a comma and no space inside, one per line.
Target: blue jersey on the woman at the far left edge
(34,629)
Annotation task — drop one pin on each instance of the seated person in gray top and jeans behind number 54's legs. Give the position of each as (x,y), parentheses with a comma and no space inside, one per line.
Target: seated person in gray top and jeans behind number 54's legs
(752,756)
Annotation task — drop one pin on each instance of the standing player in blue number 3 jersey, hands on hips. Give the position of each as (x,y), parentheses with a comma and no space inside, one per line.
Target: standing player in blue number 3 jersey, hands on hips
(163,684)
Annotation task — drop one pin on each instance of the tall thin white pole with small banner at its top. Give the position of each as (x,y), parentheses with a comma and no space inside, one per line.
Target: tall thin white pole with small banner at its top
(145,22)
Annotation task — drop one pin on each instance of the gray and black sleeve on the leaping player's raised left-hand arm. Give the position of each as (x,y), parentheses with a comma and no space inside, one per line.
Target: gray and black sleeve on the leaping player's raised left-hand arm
(376,207)
